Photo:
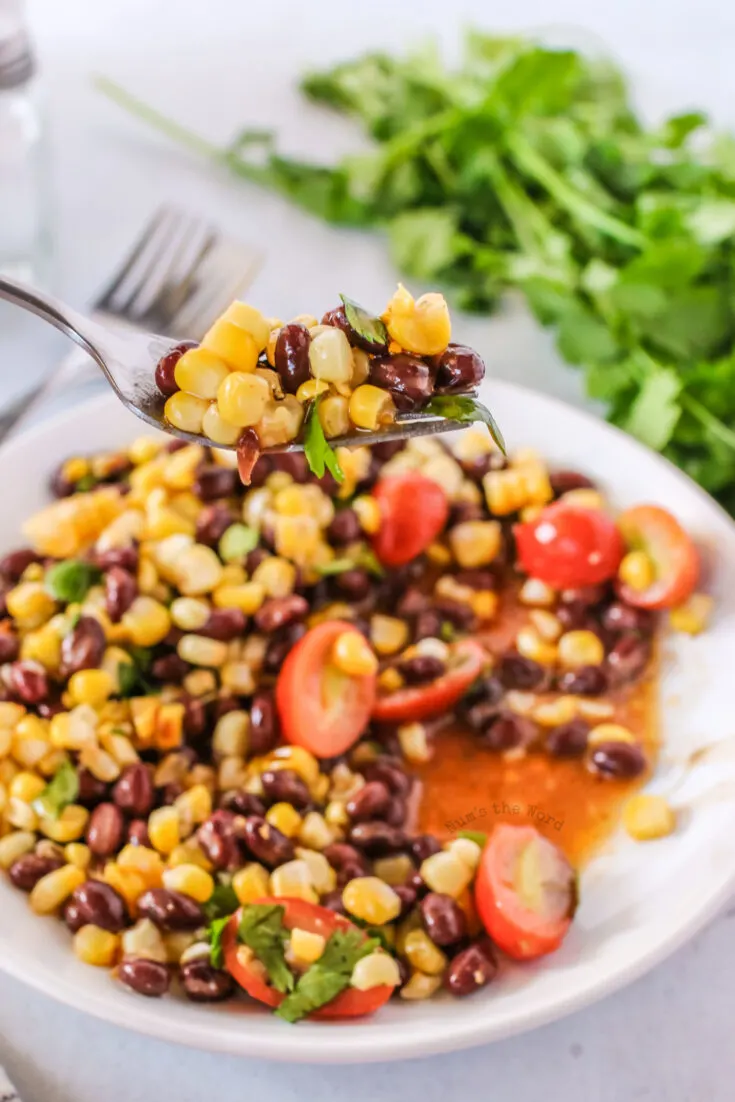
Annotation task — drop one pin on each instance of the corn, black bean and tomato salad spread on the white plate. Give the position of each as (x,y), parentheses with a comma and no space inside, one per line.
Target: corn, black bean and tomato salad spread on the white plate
(214,700)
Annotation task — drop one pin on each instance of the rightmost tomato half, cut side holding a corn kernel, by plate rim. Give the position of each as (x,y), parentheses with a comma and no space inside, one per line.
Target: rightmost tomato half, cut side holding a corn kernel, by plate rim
(675,557)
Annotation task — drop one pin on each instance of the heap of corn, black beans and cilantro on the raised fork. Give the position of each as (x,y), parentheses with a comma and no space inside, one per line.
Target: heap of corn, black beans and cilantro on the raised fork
(257,383)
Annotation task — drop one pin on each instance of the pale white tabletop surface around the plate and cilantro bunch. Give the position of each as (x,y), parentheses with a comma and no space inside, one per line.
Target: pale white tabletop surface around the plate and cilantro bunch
(220,66)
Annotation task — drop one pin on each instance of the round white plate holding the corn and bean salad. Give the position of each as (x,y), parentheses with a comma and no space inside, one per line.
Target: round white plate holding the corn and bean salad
(640,903)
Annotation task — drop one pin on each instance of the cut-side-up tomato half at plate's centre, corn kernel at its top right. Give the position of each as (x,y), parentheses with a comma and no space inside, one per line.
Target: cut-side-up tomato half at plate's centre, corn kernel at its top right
(320,708)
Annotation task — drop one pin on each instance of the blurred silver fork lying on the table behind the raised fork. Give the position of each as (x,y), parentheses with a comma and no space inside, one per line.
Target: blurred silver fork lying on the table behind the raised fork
(179,277)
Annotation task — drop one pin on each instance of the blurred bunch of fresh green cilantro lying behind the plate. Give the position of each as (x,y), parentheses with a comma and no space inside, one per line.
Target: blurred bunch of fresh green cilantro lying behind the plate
(529,169)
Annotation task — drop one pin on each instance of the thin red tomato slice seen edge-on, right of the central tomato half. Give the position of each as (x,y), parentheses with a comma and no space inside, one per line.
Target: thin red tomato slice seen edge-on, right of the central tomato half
(418,703)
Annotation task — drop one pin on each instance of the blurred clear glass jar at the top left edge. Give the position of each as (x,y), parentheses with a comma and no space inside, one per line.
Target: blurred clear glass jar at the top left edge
(25,192)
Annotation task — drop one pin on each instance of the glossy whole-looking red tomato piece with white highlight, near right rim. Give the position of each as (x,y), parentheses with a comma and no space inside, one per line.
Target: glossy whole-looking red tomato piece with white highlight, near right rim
(568,547)
